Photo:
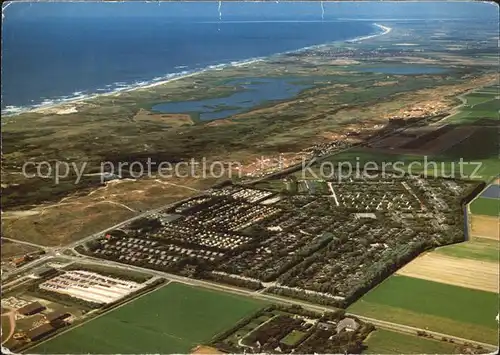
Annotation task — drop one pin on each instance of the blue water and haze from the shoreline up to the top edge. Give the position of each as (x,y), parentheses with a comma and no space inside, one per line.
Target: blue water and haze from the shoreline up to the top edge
(56,52)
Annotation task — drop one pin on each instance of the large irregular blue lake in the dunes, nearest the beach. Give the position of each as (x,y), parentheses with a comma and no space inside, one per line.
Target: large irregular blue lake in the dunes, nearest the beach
(253,92)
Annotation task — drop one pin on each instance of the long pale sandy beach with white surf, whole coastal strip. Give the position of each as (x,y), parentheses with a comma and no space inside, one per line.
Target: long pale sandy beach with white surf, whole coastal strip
(67,104)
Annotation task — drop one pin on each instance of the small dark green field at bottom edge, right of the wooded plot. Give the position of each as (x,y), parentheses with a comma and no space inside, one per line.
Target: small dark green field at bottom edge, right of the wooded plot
(387,342)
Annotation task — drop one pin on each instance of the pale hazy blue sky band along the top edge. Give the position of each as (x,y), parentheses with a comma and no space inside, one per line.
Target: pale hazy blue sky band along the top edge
(209,10)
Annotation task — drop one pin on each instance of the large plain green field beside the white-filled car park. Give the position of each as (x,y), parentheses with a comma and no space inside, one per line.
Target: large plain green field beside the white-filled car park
(173,319)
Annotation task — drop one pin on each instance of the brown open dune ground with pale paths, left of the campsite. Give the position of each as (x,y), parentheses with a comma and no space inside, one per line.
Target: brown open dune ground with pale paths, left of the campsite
(79,216)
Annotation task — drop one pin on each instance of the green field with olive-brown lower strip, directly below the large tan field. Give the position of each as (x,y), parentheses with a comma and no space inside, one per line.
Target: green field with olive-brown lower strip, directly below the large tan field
(435,306)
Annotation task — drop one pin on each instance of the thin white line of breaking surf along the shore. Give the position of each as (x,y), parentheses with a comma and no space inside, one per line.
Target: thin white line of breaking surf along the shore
(121,86)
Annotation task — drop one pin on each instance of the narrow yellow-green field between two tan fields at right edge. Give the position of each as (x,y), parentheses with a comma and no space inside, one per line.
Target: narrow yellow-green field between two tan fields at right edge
(477,249)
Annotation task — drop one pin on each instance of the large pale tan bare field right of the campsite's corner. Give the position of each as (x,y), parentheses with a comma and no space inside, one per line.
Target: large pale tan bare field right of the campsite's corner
(480,275)
